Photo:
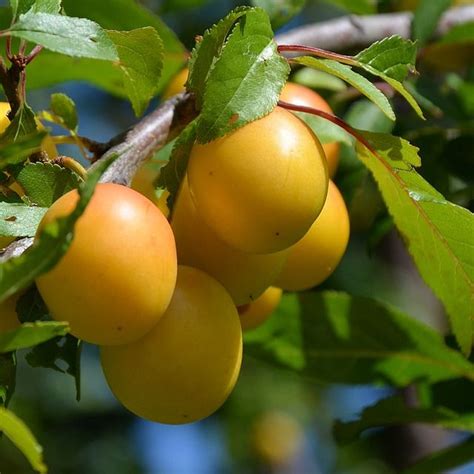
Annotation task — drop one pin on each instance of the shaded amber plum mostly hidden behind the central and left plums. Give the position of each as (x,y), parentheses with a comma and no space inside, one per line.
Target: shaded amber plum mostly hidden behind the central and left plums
(244,276)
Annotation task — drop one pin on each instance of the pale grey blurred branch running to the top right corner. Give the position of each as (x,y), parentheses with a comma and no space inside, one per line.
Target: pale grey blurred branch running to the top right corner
(359,31)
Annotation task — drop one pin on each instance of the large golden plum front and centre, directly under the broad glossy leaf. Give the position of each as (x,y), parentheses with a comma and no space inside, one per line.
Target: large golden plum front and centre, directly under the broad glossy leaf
(261,187)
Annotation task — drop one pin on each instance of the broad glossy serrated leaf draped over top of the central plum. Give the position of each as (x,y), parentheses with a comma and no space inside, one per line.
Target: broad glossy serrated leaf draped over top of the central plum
(246,80)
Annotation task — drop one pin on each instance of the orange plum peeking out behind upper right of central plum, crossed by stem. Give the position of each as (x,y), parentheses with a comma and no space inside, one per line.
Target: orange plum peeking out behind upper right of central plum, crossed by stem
(302,95)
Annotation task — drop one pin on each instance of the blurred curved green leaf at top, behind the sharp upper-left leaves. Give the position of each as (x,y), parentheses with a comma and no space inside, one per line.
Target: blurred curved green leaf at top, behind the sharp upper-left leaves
(128,15)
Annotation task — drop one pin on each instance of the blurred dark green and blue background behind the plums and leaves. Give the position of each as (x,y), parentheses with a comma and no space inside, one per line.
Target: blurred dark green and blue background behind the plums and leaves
(276,421)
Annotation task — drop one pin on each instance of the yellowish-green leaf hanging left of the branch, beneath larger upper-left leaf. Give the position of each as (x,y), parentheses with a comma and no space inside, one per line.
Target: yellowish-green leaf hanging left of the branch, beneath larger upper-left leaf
(141,61)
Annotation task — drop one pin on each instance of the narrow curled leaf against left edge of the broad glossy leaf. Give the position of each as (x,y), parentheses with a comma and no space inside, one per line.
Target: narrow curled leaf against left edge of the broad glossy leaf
(207,50)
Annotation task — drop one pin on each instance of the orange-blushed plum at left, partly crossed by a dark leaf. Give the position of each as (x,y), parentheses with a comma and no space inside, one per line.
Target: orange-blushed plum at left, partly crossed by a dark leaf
(117,278)
